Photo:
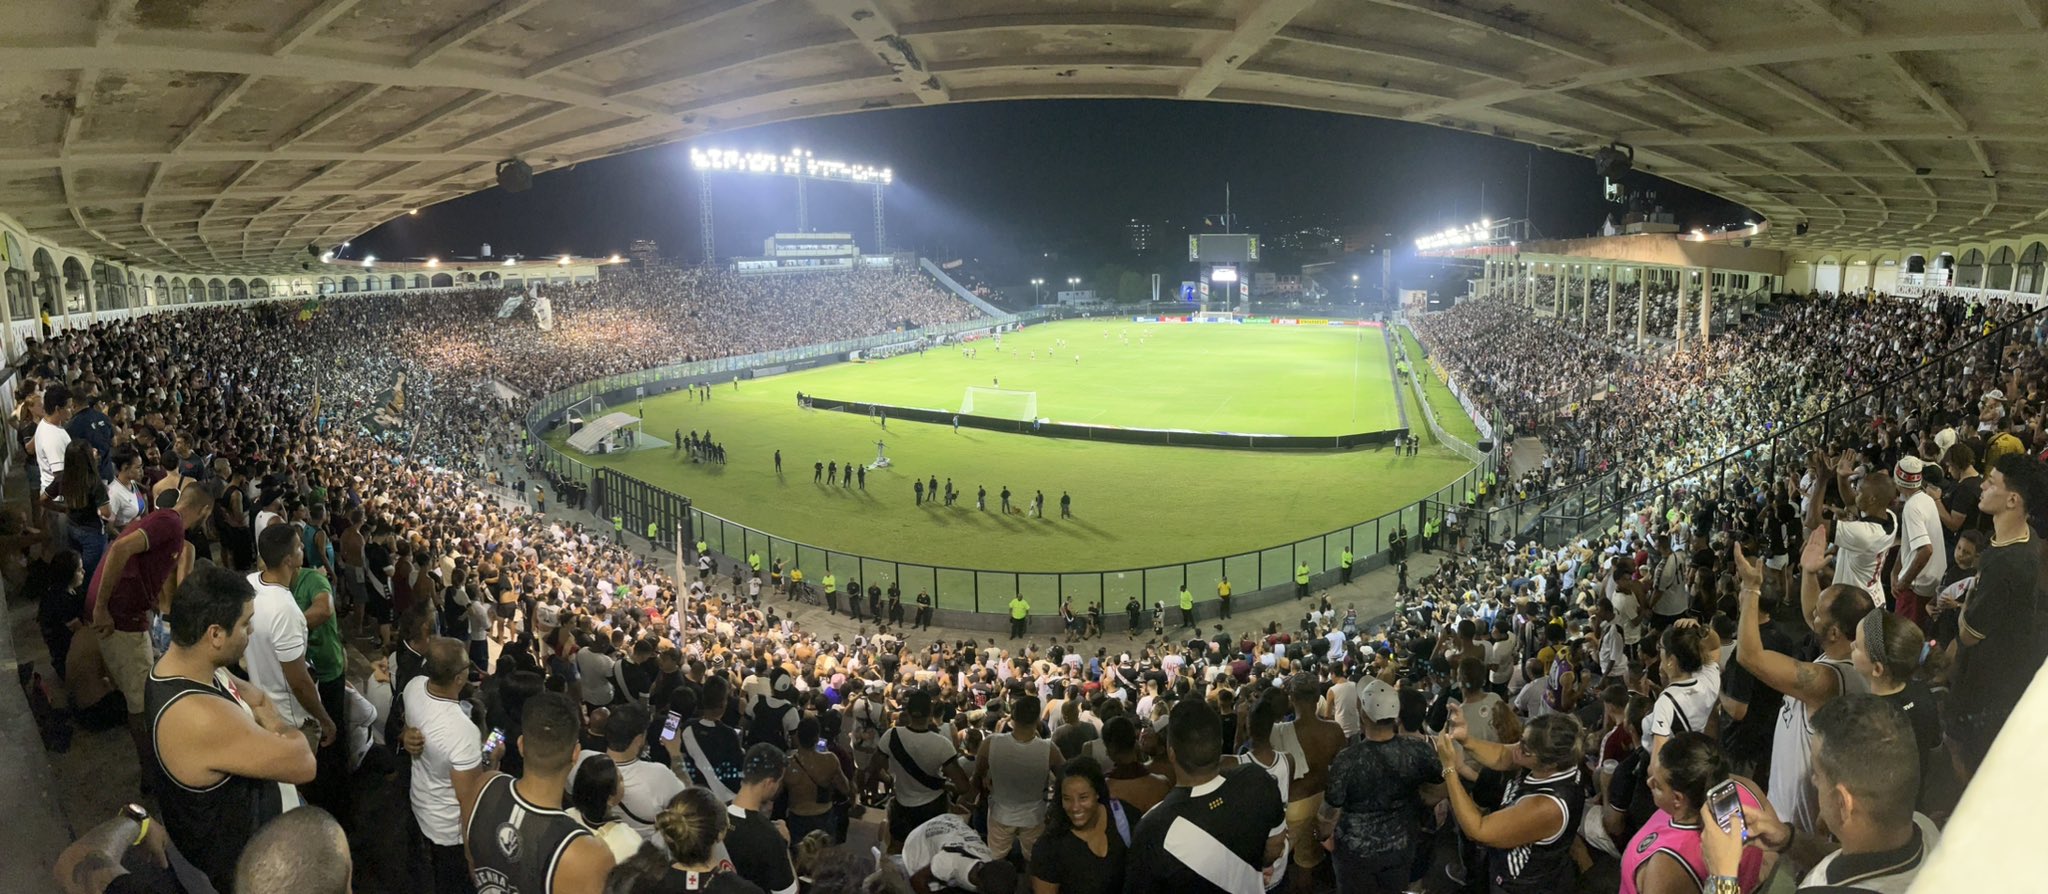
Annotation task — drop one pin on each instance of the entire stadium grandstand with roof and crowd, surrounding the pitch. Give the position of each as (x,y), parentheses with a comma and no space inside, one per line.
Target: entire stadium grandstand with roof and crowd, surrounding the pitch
(1746,592)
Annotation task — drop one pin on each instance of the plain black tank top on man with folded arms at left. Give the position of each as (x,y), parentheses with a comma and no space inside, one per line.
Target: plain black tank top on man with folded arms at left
(210,825)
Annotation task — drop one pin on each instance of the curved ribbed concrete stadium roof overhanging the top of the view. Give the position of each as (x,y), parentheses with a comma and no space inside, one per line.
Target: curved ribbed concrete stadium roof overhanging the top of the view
(230,134)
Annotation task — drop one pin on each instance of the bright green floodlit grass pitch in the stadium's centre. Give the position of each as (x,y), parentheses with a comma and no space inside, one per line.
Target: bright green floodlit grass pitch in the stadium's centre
(1136,504)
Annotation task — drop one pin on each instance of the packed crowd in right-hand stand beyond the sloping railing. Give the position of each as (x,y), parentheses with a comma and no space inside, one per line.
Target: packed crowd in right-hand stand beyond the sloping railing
(1656,416)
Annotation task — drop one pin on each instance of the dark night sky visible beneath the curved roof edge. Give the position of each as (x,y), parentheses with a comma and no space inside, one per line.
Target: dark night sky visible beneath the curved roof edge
(1009,181)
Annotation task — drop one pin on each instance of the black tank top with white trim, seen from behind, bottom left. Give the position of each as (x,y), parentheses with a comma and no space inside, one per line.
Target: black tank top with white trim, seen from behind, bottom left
(513,844)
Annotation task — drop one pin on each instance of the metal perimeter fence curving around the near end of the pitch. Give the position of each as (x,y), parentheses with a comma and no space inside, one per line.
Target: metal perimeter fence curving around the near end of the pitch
(959,588)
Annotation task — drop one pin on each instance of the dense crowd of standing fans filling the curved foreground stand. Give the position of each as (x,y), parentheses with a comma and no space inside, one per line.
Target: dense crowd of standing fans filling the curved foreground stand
(566,717)
